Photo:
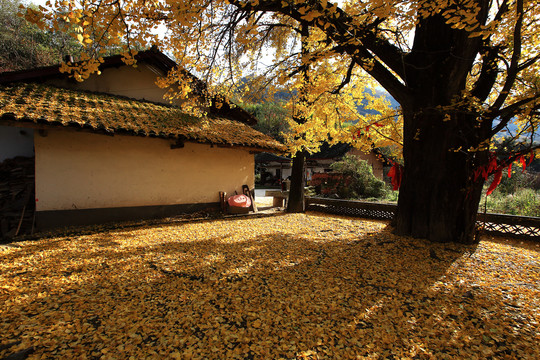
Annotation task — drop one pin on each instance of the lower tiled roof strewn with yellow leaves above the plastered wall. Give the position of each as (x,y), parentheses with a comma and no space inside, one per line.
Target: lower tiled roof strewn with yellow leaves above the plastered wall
(44,104)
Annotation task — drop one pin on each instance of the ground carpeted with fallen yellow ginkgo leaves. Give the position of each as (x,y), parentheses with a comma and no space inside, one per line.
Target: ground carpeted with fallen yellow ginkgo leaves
(292,286)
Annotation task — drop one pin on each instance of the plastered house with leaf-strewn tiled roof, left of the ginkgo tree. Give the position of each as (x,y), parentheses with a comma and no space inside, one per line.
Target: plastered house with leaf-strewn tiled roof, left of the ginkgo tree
(110,148)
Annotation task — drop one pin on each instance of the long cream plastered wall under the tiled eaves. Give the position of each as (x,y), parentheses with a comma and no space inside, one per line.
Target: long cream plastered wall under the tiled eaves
(79,170)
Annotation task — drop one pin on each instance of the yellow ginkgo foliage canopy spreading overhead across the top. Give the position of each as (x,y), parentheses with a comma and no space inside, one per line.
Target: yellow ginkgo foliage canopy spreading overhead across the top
(351,47)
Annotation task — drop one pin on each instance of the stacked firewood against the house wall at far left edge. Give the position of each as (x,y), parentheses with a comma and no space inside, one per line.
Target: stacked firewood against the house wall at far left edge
(17,204)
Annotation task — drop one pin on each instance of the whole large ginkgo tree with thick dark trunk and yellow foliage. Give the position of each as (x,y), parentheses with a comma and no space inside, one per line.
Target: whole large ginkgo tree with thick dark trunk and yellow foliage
(463,71)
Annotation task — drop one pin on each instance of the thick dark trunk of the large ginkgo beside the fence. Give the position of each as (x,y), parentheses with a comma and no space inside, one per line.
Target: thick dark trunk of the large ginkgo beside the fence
(438,198)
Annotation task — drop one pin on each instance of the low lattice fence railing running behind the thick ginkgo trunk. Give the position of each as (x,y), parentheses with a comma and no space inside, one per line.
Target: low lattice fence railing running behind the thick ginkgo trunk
(493,223)
